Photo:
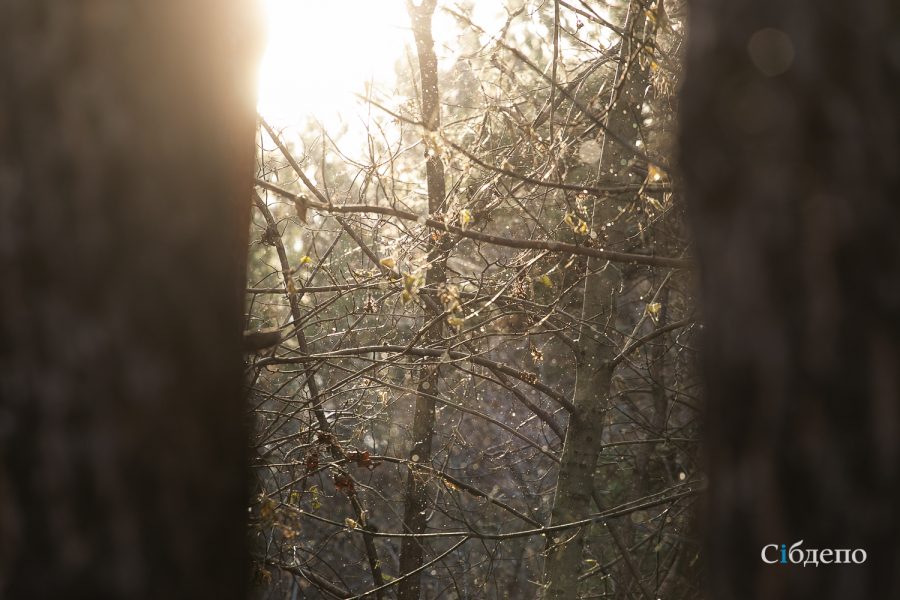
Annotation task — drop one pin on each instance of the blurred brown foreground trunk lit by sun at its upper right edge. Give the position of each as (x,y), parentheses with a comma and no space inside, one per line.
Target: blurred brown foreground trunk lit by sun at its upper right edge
(125,153)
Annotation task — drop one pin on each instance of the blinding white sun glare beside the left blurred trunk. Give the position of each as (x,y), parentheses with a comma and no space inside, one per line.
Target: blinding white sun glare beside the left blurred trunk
(320,52)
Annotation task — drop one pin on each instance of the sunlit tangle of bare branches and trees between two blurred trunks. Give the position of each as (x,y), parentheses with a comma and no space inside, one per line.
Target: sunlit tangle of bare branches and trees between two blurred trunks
(488,321)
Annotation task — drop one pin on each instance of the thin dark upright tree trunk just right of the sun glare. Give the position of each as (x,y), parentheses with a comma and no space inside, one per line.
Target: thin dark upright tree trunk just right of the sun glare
(414,514)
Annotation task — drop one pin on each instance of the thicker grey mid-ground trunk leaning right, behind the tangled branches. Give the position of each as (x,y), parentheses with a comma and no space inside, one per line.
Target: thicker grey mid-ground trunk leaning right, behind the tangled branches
(583,441)
